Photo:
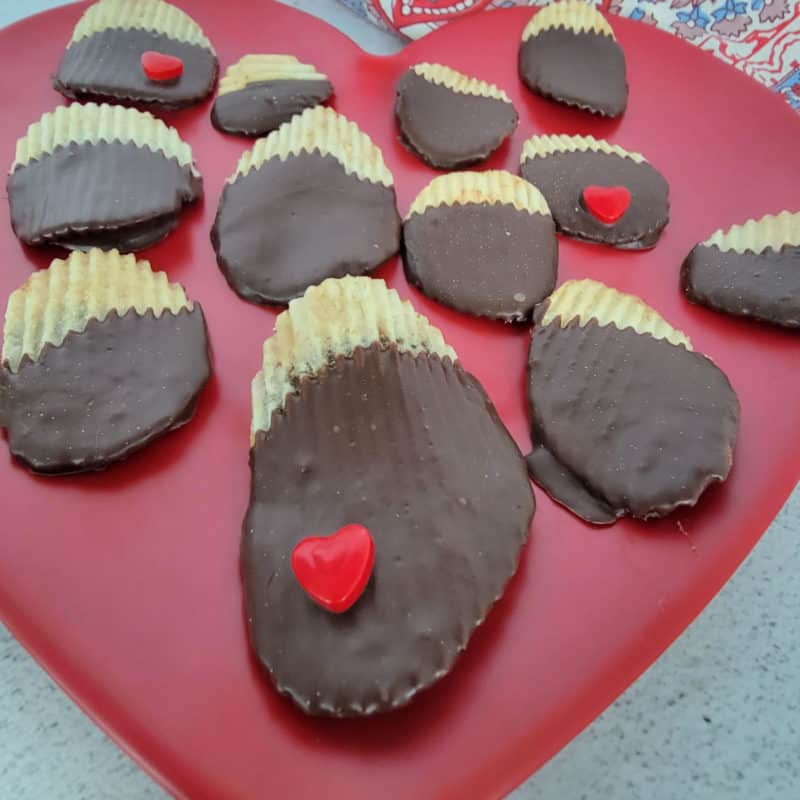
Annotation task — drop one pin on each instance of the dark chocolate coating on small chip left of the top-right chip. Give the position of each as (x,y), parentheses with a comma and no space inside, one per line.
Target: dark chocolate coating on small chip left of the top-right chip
(447,129)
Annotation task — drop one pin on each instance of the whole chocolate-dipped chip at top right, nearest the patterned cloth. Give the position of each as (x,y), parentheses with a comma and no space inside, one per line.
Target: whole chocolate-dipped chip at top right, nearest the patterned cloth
(569,54)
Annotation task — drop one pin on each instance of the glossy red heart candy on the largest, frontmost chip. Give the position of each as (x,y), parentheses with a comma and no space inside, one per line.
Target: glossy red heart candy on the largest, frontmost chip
(334,570)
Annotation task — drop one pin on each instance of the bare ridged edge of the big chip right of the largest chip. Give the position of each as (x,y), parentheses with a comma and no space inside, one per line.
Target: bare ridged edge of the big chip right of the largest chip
(589,300)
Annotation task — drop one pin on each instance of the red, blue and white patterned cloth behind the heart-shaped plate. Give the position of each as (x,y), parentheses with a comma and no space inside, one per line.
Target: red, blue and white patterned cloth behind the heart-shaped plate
(759,37)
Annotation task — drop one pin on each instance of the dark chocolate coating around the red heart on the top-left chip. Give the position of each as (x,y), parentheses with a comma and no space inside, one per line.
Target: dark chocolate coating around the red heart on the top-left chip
(107,66)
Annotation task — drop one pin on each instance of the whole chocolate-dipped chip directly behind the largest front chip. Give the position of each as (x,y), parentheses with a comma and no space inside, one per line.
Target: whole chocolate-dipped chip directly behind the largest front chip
(312,200)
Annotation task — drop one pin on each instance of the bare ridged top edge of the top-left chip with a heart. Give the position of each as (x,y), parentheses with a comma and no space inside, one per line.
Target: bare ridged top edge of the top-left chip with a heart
(150,15)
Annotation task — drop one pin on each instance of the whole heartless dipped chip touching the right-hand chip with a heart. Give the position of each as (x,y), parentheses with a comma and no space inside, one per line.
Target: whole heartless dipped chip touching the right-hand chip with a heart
(483,243)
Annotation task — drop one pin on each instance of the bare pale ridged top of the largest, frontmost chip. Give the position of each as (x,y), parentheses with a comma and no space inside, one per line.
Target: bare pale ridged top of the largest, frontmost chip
(333,319)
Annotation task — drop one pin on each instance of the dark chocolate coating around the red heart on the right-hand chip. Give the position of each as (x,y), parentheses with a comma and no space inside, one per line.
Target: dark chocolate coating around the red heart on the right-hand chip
(561,177)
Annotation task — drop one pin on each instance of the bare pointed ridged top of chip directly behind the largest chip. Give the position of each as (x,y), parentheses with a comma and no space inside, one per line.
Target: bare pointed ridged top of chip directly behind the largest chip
(324,131)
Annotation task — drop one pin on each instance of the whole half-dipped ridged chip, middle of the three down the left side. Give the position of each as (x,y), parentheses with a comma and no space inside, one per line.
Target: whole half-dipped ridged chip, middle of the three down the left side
(100,176)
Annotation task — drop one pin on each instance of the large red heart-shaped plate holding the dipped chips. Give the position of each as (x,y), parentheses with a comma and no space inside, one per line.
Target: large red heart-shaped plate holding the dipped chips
(125,586)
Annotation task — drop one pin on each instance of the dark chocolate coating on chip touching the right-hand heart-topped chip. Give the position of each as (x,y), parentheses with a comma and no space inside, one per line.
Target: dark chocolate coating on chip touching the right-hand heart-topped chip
(489,260)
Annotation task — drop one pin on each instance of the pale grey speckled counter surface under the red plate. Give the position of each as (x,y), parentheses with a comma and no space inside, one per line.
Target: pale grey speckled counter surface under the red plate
(716,718)
